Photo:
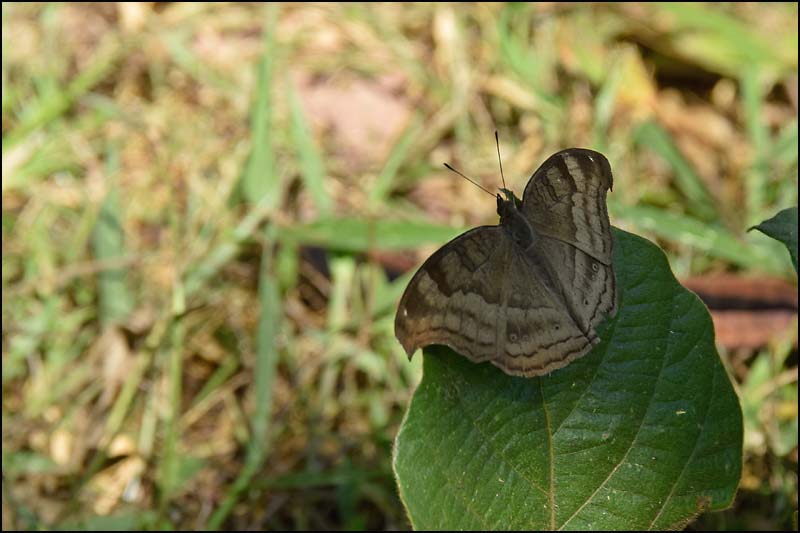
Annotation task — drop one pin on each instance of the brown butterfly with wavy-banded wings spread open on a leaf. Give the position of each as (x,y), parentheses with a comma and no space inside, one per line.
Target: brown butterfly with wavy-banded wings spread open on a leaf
(526,294)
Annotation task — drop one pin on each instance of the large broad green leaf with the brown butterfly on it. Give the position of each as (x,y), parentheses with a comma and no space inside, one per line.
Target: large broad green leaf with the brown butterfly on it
(645,432)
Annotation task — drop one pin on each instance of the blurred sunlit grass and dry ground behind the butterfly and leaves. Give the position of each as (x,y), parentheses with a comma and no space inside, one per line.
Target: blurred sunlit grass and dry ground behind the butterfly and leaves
(209,212)
